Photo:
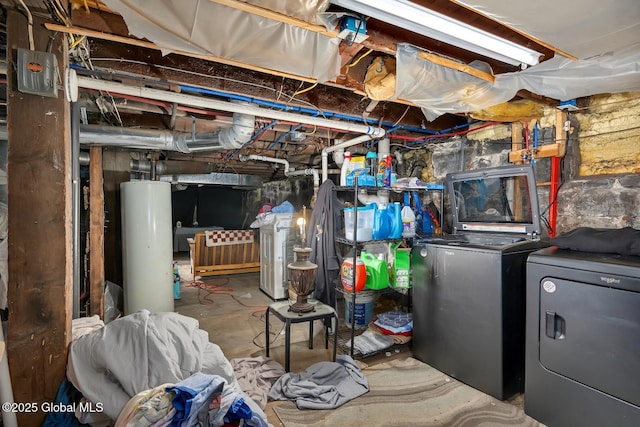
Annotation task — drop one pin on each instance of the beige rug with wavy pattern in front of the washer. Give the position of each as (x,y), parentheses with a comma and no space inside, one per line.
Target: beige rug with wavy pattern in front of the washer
(408,392)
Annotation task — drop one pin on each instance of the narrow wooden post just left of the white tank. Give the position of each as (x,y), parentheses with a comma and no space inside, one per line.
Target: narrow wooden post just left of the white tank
(96,233)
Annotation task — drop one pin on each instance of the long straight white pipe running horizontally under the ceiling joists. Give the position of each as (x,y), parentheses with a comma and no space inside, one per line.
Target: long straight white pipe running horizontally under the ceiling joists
(197,101)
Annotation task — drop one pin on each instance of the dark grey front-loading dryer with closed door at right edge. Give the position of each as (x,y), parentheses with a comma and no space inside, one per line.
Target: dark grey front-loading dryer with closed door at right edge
(582,363)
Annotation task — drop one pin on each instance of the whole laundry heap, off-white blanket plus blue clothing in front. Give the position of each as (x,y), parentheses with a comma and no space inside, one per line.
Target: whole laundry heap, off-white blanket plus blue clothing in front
(156,369)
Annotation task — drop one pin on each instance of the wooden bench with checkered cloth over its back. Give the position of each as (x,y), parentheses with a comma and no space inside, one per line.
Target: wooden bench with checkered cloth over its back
(224,252)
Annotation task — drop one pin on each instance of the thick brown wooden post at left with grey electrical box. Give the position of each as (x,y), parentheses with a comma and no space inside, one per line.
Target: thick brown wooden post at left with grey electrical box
(40,228)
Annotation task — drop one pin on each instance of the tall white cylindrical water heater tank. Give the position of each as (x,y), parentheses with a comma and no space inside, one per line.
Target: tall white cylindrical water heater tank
(147,246)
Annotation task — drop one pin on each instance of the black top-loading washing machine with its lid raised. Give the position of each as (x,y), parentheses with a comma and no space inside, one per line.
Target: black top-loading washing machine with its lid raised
(468,287)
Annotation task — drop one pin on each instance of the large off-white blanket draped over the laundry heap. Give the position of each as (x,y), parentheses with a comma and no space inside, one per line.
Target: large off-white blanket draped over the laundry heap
(141,351)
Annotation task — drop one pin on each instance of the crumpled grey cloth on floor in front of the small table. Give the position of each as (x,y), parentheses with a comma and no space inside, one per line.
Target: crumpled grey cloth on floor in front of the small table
(323,385)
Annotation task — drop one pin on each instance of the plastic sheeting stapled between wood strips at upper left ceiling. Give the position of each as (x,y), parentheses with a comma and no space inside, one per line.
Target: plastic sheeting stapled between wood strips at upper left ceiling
(207,28)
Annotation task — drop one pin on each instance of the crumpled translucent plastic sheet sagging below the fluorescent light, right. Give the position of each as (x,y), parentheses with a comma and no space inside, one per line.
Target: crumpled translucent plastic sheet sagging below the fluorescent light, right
(439,90)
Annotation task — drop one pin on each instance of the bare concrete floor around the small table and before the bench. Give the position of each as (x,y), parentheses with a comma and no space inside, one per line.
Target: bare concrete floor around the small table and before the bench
(232,310)
